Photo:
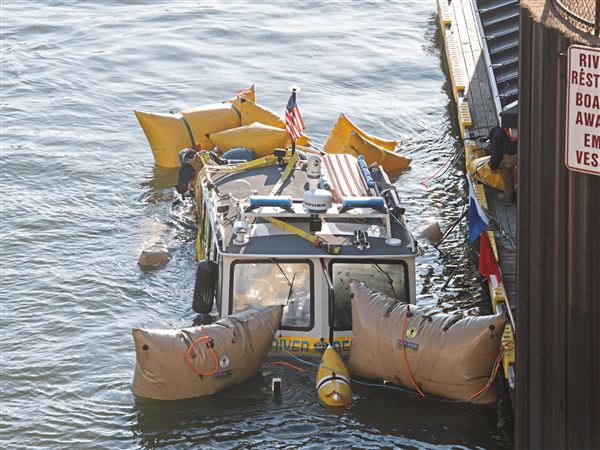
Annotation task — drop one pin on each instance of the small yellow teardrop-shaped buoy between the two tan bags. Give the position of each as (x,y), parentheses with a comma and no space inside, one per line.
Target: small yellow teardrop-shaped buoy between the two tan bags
(333,380)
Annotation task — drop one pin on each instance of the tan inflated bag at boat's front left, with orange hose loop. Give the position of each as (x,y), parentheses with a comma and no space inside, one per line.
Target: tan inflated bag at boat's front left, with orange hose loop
(193,362)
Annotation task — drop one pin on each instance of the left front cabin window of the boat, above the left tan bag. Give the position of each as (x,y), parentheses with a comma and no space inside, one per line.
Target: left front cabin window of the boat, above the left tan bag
(263,283)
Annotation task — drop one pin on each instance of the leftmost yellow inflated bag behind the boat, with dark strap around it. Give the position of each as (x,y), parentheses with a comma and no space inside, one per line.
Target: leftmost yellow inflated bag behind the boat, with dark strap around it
(168,134)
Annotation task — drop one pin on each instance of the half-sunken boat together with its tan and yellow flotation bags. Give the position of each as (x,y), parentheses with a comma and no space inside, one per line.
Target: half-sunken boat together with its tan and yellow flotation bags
(293,229)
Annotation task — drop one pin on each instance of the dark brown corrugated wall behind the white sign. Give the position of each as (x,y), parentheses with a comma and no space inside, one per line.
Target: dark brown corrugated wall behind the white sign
(558,260)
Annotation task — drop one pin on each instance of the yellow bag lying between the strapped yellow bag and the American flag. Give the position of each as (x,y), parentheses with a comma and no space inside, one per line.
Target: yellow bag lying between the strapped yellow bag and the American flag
(263,139)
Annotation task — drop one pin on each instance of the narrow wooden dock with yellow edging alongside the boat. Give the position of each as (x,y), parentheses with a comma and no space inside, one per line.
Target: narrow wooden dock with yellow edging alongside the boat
(476,116)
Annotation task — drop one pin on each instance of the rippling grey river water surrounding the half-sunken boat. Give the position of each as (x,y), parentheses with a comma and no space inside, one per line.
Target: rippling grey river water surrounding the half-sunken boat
(80,196)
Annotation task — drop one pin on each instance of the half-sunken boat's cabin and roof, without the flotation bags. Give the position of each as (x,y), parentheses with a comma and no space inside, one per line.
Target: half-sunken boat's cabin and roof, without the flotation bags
(296,228)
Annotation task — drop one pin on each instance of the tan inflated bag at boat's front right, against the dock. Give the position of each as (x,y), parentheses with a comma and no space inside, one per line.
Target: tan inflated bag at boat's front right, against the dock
(441,353)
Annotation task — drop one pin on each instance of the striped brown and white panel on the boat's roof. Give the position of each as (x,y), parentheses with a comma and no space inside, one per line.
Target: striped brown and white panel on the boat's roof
(345,176)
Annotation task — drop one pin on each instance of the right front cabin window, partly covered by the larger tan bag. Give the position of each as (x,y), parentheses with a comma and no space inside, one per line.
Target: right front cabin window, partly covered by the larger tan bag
(391,278)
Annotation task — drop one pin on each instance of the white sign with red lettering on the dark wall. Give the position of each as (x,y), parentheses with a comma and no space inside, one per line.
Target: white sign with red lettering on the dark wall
(582,150)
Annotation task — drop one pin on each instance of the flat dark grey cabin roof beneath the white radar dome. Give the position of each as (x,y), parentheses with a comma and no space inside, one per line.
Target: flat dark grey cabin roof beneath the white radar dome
(337,226)
